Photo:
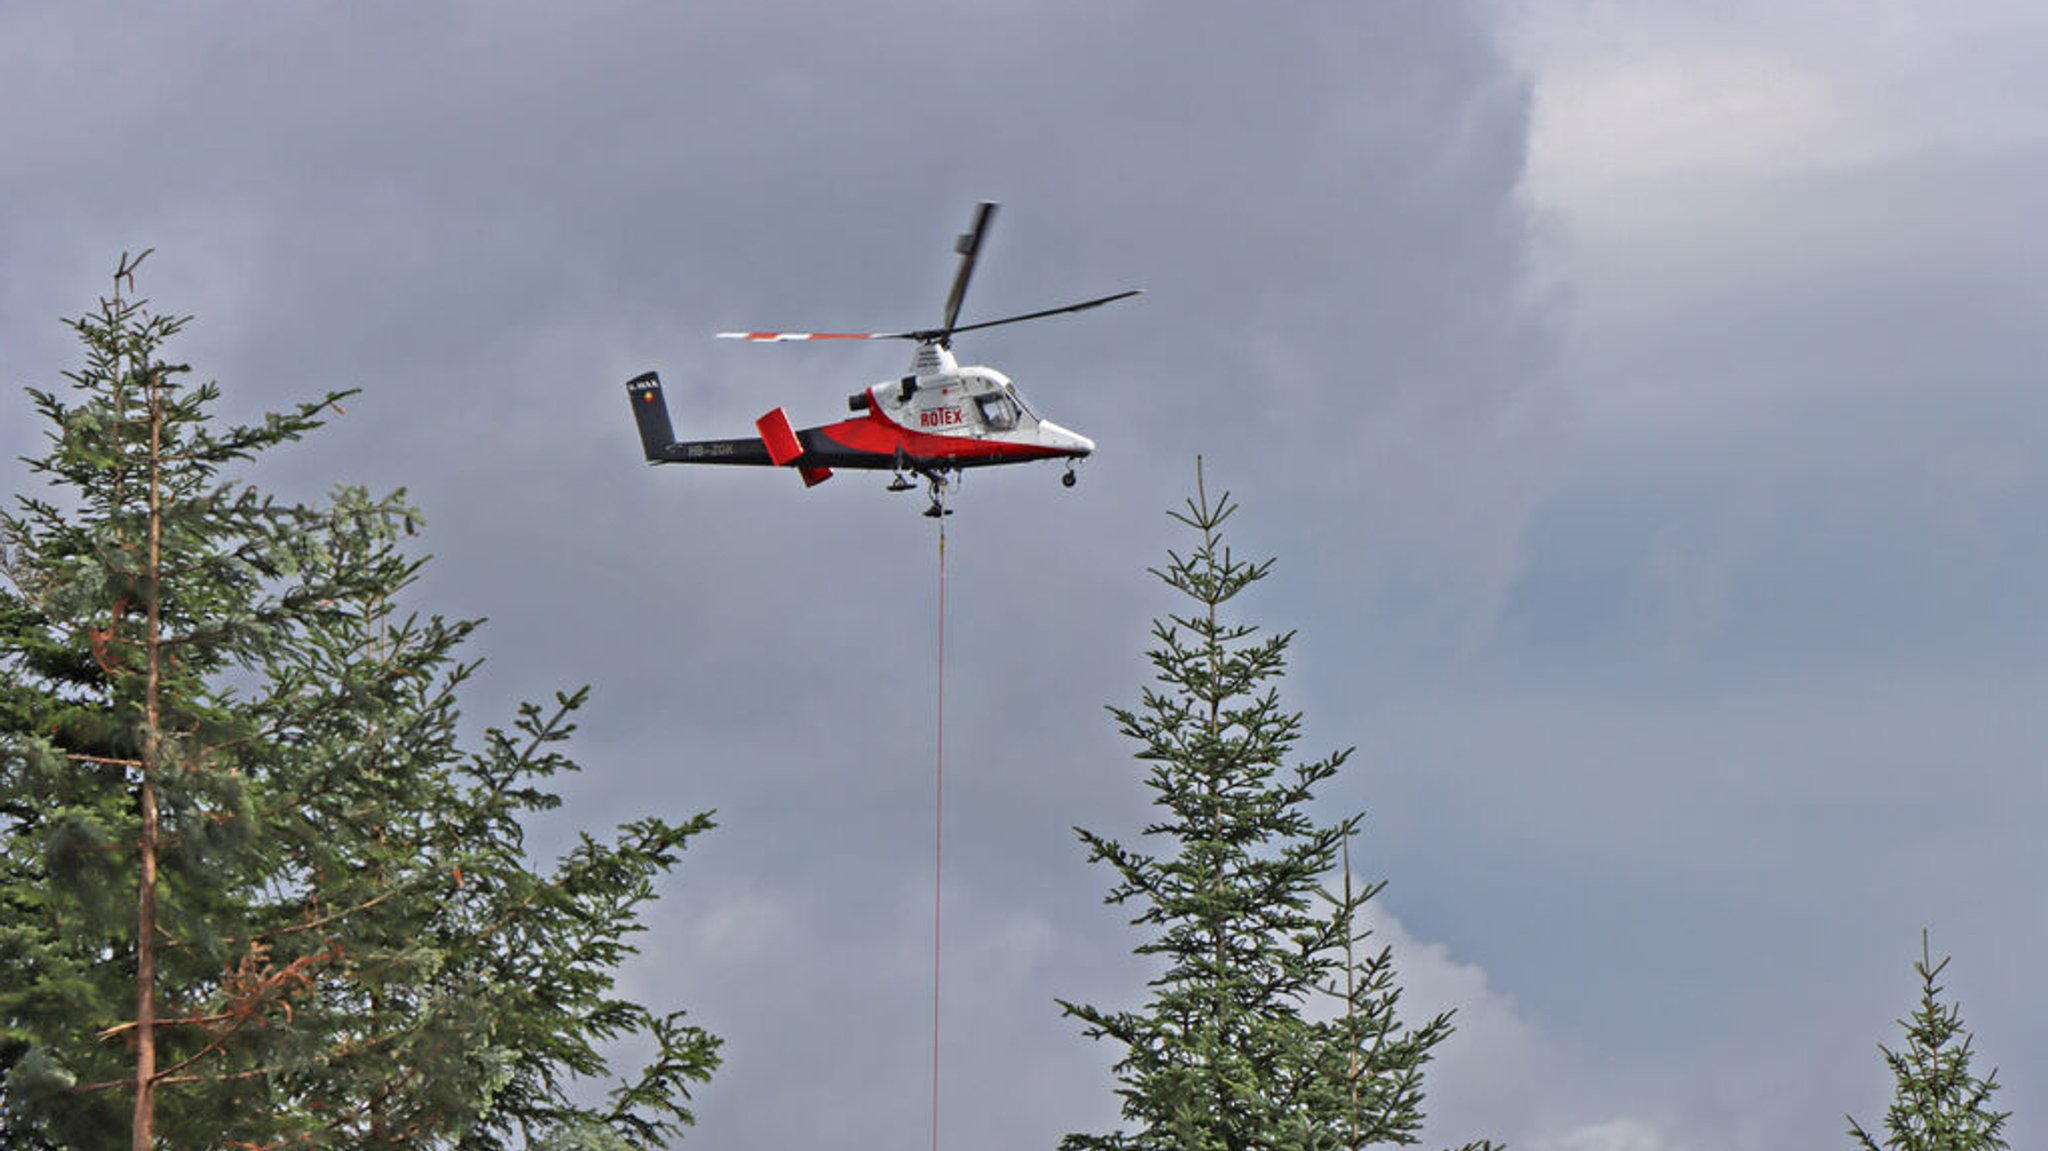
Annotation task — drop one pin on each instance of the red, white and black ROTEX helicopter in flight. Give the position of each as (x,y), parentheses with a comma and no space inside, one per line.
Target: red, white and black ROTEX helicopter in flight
(933,423)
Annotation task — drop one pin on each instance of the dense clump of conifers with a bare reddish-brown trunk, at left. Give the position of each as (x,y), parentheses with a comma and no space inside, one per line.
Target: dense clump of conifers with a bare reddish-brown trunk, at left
(253,890)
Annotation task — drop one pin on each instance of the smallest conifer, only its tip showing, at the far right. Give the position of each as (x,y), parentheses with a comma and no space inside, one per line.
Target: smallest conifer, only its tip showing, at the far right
(1940,1105)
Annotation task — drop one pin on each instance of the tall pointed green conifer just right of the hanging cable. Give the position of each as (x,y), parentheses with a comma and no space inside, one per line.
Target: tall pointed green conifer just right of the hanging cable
(1232,1052)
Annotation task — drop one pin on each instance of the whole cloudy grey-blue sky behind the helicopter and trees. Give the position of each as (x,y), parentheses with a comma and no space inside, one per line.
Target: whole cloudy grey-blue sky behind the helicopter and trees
(1637,400)
